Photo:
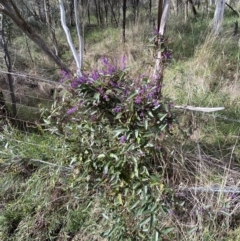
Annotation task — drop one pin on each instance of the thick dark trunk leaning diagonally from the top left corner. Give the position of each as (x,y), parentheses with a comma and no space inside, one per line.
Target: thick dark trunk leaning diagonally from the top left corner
(11,10)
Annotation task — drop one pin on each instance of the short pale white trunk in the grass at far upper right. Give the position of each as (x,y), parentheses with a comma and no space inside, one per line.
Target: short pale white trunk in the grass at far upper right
(218,16)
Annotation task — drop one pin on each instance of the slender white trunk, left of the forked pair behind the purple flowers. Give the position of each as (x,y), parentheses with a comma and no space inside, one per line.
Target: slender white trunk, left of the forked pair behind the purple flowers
(69,39)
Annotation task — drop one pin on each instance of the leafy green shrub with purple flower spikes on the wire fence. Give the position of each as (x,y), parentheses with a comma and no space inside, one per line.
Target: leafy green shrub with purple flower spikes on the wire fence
(116,129)
